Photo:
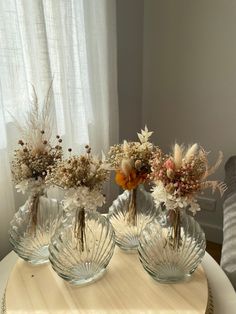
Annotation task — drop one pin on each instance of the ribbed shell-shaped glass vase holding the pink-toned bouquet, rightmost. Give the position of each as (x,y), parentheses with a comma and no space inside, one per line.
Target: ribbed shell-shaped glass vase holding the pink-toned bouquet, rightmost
(172,246)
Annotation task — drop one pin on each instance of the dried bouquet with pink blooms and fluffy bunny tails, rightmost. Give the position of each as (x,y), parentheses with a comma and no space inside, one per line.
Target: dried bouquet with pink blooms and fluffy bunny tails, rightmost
(179,177)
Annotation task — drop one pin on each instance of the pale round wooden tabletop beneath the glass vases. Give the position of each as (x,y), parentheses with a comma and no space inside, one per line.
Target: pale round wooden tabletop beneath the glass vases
(125,288)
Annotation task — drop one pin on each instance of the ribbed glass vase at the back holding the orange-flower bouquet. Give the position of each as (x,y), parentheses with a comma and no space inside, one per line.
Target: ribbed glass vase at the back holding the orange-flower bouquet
(129,214)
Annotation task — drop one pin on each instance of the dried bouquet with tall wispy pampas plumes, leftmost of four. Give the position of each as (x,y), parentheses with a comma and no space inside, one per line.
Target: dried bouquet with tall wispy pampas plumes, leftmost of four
(36,153)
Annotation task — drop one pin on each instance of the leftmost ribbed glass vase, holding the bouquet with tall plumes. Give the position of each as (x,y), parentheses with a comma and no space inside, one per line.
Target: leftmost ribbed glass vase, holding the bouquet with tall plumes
(32,227)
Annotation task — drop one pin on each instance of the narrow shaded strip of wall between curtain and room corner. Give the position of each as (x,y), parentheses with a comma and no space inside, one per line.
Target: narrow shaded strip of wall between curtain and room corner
(130,55)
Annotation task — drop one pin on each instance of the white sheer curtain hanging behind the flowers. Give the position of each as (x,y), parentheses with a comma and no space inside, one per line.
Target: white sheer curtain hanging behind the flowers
(73,42)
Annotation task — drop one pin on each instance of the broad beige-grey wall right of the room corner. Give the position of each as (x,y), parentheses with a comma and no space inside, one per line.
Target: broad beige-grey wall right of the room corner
(189,80)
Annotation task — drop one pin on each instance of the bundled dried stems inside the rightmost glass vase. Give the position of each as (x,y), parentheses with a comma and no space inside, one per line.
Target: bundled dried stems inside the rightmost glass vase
(175,233)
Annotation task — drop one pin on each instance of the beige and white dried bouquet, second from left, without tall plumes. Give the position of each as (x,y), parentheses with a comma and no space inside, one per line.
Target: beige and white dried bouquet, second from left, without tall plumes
(82,178)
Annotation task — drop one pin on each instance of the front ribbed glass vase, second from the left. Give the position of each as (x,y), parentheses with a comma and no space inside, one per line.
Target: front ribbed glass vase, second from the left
(81,251)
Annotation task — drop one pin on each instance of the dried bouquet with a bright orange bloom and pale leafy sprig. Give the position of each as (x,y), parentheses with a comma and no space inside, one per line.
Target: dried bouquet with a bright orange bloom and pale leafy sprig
(131,161)
